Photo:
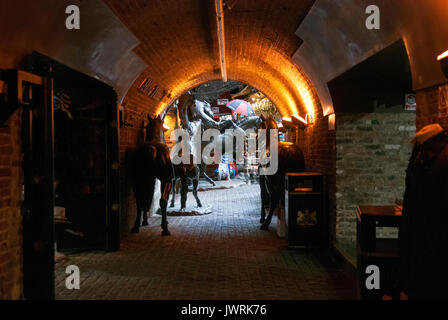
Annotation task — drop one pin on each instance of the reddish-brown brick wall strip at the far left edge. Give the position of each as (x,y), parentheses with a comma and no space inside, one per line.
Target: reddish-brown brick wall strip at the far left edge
(10,215)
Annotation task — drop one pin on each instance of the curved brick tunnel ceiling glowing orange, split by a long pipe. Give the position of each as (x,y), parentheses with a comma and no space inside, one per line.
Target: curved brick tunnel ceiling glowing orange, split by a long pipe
(180,47)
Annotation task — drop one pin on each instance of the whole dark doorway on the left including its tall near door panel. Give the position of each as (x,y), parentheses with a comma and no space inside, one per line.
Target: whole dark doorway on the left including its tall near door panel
(70,146)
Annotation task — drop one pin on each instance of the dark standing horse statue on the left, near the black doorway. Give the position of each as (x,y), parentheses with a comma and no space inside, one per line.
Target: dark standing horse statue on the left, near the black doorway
(151,160)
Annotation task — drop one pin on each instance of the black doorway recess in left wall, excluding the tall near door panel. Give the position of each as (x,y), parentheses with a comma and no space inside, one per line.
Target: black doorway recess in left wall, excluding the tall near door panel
(86,158)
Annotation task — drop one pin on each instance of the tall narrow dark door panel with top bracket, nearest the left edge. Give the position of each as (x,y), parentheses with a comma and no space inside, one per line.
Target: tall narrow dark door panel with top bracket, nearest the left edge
(34,95)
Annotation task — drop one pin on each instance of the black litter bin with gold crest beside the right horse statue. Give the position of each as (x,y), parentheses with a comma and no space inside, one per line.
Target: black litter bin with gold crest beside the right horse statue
(305,210)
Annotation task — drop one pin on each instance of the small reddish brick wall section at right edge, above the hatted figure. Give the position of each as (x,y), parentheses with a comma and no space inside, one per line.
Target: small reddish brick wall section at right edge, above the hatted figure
(432,106)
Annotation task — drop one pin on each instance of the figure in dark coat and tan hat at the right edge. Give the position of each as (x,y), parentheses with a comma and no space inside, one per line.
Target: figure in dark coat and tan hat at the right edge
(423,235)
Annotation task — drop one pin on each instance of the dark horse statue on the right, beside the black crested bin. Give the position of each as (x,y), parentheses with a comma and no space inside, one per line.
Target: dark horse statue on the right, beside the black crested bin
(290,159)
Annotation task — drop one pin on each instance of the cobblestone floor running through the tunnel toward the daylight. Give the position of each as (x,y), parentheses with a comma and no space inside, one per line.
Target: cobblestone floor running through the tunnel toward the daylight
(222,255)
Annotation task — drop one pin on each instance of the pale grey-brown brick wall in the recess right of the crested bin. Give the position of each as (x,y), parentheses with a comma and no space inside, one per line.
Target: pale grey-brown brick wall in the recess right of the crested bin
(372,153)
